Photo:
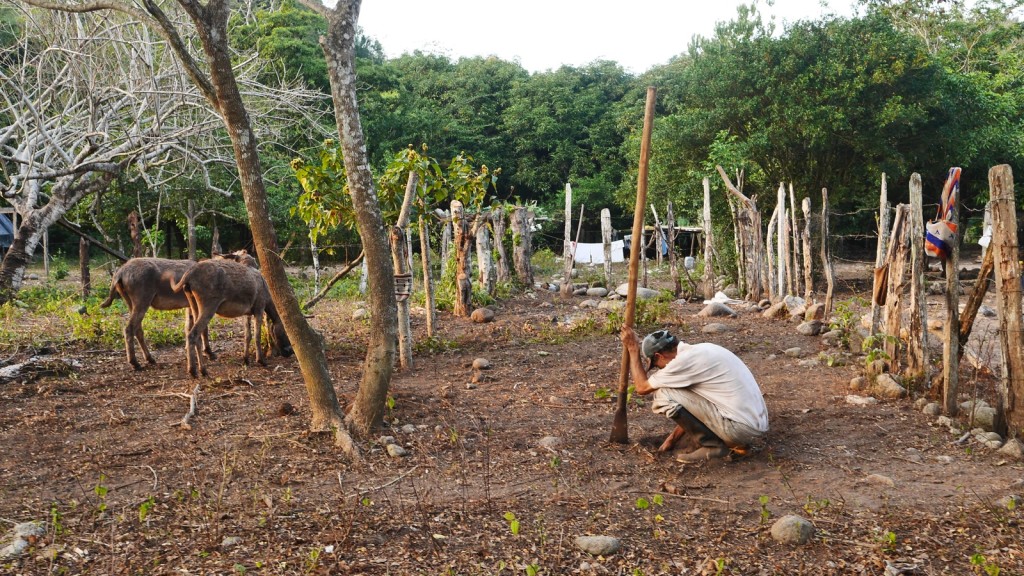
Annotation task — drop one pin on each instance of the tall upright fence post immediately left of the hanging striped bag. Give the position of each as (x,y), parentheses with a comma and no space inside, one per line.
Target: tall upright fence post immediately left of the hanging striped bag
(917,352)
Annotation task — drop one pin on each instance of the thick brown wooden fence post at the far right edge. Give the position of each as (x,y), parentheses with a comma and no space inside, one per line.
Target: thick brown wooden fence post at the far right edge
(1008,290)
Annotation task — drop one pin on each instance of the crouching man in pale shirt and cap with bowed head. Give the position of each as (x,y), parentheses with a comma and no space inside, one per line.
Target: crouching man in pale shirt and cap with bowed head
(705,389)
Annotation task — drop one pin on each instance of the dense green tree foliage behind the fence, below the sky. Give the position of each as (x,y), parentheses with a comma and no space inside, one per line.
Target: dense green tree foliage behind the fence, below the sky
(906,87)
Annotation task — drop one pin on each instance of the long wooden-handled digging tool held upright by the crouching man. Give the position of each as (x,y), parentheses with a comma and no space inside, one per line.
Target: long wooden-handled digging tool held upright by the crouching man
(620,428)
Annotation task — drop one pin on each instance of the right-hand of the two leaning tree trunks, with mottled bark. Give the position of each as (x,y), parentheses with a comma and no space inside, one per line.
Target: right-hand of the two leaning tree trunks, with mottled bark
(339,49)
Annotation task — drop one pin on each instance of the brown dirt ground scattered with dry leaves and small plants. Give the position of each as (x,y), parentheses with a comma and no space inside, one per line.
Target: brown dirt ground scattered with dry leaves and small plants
(99,457)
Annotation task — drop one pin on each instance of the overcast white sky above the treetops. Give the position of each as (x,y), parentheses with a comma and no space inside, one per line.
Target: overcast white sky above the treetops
(546,34)
